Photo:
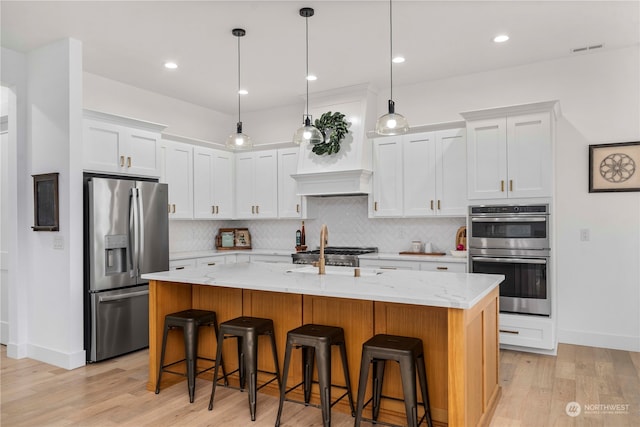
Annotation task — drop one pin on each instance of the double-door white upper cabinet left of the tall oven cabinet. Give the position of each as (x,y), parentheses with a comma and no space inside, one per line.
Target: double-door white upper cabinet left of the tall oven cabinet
(434,169)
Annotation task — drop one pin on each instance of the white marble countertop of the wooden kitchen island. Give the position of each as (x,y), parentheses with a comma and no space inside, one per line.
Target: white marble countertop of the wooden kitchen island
(452,290)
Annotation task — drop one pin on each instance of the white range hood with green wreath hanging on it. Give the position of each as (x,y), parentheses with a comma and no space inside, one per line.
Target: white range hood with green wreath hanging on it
(347,172)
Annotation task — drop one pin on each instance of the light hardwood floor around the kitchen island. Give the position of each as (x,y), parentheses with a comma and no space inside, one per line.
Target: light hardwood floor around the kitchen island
(535,392)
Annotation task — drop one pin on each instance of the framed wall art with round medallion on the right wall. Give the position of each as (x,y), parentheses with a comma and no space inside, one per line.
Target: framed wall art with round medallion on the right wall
(614,167)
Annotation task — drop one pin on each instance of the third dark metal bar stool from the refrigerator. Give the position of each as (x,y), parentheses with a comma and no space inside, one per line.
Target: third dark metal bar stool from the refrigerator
(316,340)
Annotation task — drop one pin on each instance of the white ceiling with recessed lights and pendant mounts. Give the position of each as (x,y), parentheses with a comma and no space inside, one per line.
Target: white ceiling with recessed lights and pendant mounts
(348,41)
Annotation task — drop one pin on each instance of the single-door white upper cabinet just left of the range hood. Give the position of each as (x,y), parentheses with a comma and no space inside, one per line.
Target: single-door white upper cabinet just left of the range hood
(290,205)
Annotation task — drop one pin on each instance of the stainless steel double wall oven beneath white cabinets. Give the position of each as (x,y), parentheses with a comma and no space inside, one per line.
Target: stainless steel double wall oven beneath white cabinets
(513,240)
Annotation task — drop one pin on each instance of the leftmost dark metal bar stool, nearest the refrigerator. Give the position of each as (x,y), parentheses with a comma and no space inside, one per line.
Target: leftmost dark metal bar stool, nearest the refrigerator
(189,321)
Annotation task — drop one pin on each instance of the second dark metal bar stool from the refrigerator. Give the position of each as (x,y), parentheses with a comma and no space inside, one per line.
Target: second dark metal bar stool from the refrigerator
(246,330)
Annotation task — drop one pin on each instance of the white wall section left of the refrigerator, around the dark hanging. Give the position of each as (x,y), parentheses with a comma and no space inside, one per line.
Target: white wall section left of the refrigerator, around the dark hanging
(48,322)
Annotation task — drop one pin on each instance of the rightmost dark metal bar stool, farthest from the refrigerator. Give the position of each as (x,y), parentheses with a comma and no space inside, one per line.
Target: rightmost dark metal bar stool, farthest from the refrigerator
(409,353)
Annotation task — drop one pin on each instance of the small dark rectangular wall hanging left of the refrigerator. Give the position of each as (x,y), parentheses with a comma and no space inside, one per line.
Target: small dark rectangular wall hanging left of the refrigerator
(45,202)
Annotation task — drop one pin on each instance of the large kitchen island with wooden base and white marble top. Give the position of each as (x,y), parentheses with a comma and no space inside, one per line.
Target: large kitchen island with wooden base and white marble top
(455,314)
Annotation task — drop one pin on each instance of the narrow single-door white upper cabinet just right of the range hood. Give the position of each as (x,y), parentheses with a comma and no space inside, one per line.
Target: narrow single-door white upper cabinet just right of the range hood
(387,177)
